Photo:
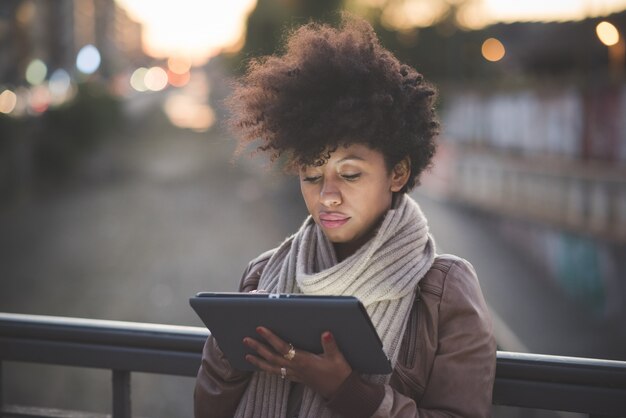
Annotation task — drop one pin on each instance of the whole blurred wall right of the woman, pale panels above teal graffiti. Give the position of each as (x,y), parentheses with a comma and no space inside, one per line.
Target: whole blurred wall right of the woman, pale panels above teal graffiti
(550,162)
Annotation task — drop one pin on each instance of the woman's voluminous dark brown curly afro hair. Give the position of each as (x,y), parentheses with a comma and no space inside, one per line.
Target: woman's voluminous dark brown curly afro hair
(335,87)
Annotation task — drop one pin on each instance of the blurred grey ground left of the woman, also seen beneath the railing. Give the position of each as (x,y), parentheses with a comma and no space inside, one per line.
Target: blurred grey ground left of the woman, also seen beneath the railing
(151,219)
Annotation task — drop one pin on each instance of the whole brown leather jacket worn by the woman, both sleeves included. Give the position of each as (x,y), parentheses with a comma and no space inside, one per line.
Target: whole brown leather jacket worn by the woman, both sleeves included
(446,366)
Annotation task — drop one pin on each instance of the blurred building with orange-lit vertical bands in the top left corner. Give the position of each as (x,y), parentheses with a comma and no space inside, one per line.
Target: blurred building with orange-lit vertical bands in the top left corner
(54,32)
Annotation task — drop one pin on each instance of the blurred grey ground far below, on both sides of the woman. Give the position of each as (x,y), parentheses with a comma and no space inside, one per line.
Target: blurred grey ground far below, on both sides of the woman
(163,214)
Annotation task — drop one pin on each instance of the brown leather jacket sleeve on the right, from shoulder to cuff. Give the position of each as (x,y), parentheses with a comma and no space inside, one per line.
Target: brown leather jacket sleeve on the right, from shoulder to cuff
(463,371)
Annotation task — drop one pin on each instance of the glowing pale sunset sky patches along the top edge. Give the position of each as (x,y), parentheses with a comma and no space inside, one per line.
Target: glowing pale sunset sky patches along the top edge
(200,28)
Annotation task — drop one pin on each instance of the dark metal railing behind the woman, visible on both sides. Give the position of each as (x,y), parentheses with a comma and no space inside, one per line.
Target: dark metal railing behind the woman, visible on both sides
(591,386)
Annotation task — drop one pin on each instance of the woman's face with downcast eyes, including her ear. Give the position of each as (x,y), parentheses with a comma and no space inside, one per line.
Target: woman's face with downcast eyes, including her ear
(349,195)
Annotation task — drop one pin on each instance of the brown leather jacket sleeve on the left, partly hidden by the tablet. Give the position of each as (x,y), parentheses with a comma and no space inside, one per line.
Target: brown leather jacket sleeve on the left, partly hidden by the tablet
(219,387)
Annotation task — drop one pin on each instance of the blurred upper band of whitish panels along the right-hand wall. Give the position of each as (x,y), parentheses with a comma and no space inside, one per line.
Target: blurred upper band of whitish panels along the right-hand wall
(570,122)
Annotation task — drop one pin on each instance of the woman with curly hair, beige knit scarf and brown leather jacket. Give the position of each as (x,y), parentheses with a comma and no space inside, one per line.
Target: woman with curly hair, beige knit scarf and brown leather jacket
(359,128)
